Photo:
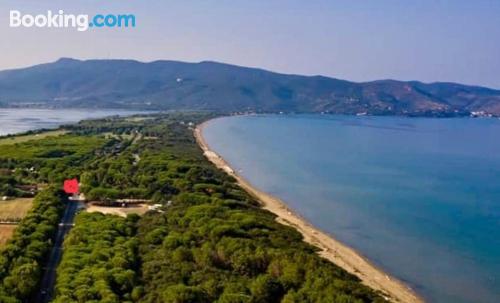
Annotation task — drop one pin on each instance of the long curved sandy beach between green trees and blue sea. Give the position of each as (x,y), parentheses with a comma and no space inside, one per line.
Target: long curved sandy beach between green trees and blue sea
(330,248)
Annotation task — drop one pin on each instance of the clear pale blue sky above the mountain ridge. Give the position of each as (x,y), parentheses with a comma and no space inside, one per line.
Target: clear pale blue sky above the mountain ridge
(357,40)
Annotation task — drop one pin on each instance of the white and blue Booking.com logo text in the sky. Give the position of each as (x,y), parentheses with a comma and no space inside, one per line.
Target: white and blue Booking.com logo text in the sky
(61,20)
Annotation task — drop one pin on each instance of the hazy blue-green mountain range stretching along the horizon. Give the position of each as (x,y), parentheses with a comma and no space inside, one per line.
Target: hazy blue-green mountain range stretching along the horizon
(229,88)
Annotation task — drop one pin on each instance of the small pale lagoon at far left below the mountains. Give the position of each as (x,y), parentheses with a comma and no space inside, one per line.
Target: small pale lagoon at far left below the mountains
(20,120)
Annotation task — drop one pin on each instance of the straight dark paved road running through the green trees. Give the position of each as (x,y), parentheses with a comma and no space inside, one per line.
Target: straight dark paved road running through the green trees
(49,276)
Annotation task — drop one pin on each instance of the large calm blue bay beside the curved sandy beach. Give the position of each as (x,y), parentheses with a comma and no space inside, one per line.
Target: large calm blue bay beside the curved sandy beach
(418,197)
